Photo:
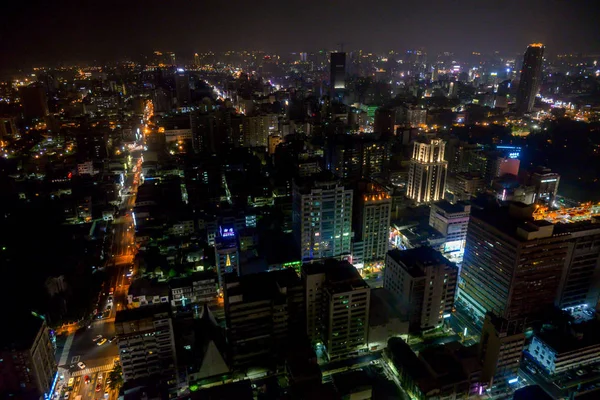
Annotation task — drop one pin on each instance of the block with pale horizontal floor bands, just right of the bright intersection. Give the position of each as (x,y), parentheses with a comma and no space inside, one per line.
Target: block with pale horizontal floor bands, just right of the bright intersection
(146,343)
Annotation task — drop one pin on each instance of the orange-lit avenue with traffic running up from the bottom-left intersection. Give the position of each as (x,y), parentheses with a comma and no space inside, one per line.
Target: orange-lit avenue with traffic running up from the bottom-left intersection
(99,359)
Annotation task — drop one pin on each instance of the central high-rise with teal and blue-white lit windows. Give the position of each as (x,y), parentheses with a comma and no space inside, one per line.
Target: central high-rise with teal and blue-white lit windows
(322,217)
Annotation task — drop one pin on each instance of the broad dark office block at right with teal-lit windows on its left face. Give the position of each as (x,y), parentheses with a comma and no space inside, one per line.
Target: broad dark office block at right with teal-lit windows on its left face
(512,264)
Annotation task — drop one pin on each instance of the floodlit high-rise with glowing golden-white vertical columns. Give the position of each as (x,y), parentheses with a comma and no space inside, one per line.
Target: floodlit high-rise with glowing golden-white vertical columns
(427,173)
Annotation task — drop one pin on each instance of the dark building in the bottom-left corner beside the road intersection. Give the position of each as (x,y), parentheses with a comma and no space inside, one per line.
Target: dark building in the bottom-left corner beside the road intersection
(27,366)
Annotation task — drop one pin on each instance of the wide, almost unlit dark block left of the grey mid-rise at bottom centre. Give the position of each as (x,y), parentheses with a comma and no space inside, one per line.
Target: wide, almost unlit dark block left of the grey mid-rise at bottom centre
(263,314)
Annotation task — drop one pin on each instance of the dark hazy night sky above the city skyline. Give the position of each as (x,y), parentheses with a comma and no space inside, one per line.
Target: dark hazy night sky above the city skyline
(36,31)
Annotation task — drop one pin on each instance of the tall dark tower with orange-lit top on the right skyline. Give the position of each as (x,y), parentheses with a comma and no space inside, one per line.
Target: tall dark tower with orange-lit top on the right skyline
(531,77)
